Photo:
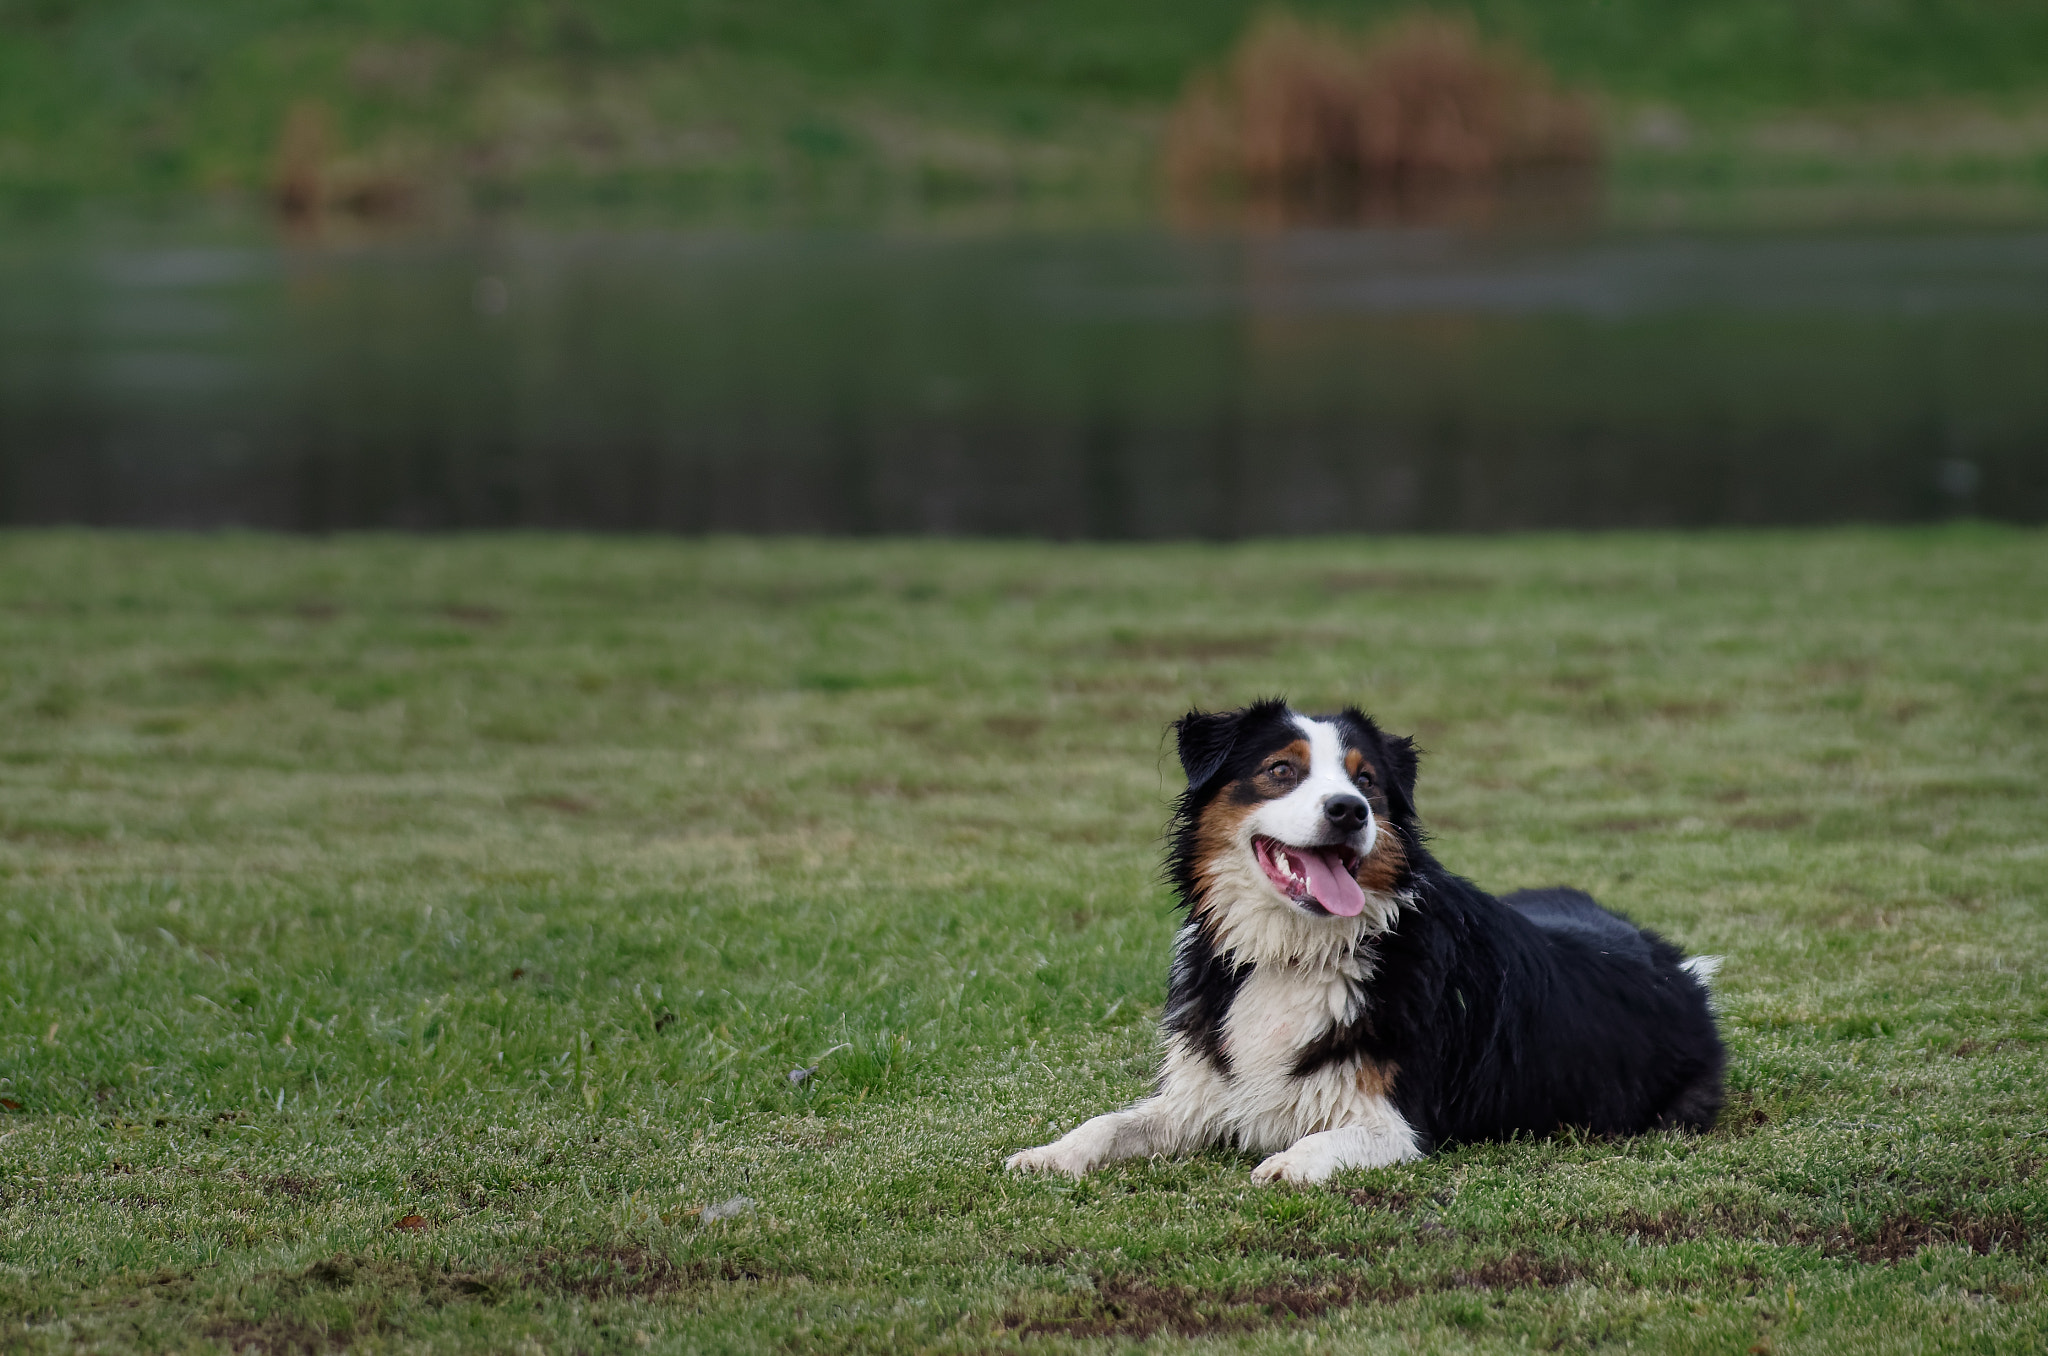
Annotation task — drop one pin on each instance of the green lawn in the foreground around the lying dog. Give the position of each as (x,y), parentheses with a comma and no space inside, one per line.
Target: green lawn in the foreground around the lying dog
(503,882)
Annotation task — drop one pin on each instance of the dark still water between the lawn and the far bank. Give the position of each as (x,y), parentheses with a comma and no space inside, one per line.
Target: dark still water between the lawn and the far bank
(1066,386)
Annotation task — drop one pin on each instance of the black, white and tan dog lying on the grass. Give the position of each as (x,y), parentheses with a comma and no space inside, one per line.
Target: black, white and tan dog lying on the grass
(1340,1001)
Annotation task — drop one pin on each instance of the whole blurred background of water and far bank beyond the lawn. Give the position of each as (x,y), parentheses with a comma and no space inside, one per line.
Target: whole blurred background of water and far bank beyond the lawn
(1056,269)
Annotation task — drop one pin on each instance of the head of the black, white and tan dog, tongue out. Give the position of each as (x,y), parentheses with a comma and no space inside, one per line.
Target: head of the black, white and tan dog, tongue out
(1291,812)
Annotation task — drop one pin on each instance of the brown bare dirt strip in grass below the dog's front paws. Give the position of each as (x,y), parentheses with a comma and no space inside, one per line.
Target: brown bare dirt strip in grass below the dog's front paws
(1140,1306)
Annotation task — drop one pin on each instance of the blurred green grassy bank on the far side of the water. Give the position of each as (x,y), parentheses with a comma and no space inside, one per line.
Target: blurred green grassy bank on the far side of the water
(499,99)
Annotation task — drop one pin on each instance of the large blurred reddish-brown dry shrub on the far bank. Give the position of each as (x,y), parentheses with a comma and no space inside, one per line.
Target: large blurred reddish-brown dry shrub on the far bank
(1306,108)
